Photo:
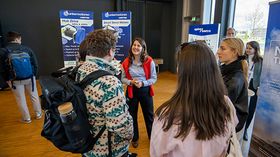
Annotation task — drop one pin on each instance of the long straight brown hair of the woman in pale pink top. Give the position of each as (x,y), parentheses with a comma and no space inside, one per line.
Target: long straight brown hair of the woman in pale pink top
(199,98)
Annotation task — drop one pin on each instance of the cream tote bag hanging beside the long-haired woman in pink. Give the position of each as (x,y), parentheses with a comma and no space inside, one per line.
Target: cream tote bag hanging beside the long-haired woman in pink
(234,148)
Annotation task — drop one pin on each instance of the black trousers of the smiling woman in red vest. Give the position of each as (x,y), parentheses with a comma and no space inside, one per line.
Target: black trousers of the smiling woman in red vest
(141,95)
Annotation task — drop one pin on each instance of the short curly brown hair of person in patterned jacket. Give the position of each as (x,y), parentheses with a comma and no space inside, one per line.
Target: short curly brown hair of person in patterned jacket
(99,42)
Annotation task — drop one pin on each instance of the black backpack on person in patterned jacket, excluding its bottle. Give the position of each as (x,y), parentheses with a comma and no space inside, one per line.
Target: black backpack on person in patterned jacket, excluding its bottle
(74,137)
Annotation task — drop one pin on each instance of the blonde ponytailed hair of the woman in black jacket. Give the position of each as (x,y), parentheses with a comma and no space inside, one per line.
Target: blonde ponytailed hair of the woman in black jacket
(237,45)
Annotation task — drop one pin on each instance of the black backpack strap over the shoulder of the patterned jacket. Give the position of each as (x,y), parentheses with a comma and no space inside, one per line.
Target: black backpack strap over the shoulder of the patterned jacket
(93,76)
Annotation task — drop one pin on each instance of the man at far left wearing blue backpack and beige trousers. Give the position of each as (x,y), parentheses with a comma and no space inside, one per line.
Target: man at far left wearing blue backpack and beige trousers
(21,67)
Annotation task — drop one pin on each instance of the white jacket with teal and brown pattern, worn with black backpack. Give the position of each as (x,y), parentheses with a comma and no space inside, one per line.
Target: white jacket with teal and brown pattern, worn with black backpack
(106,104)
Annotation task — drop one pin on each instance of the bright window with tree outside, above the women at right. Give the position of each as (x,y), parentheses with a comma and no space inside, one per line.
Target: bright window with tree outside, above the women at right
(251,20)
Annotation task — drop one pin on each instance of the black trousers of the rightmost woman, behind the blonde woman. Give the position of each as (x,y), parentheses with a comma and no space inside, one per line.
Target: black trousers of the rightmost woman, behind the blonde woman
(252,105)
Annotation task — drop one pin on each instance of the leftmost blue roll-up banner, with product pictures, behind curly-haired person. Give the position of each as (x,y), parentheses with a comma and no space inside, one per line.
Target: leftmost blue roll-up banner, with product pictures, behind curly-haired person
(75,25)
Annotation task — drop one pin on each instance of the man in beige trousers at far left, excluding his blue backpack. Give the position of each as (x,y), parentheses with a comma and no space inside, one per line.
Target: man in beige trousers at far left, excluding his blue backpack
(19,86)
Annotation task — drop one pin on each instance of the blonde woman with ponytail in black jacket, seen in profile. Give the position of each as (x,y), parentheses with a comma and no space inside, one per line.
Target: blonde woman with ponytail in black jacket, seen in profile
(234,70)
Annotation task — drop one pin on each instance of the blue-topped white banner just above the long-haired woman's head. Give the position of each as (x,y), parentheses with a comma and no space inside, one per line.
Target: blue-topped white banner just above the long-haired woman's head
(210,33)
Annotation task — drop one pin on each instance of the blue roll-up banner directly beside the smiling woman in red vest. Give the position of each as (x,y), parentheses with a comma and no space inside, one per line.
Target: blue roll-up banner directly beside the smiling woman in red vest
(121,22)
